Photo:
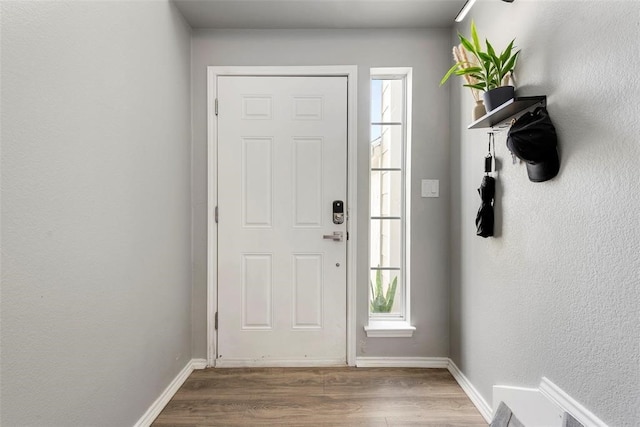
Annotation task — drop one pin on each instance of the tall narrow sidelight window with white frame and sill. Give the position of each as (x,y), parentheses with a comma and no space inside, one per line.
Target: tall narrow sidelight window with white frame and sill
(389,305)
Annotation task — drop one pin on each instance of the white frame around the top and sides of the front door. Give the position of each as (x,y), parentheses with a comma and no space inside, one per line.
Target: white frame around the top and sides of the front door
(213,72)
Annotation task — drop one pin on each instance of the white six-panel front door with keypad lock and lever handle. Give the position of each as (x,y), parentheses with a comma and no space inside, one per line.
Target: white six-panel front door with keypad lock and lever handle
(282,160)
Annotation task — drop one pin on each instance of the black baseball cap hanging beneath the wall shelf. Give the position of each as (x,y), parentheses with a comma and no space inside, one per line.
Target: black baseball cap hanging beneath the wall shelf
(533,139)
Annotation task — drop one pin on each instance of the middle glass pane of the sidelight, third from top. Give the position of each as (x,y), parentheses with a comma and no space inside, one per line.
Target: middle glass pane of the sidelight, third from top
(386,193)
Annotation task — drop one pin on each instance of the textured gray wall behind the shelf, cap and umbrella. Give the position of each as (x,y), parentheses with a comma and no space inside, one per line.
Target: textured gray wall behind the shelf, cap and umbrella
(556,294)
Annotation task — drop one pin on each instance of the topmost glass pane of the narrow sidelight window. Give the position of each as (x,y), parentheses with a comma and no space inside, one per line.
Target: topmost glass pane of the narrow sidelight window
(387,101)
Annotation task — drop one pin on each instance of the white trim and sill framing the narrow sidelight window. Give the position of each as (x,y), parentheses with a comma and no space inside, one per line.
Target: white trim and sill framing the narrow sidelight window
(400,327)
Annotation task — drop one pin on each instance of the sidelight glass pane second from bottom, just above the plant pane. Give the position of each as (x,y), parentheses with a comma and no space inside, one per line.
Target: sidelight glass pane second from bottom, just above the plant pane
(385,242)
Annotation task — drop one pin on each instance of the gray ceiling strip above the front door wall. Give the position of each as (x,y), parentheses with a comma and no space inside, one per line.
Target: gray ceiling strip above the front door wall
(312,14)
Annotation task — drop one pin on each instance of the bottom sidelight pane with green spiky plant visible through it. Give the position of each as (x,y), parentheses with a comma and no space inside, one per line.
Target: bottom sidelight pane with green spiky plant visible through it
(381,301)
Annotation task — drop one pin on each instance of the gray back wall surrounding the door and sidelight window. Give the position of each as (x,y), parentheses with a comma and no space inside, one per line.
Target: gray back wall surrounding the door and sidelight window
(428,52)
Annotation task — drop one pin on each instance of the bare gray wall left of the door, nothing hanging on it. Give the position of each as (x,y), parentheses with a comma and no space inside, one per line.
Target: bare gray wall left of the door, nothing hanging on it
(96,272)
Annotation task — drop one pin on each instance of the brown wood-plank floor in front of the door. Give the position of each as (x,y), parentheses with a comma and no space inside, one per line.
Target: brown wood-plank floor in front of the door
(320,397)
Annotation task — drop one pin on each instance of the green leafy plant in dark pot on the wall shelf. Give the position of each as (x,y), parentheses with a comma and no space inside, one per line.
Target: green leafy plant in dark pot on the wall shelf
(489,71)
